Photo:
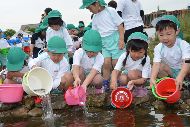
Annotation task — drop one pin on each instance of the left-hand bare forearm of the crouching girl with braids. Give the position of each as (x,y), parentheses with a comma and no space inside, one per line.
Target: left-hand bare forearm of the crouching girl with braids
(114,76)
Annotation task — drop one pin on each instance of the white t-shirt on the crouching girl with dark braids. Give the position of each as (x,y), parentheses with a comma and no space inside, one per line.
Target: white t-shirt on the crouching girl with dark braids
(134,65)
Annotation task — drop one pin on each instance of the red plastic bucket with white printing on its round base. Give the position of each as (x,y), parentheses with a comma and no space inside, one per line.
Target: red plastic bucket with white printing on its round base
(121,98)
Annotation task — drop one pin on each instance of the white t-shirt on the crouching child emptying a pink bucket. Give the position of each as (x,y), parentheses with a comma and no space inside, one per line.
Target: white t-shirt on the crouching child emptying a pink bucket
(80,58)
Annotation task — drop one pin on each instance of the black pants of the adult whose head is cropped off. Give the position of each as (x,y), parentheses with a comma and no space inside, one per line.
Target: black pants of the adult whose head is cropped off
(130,31)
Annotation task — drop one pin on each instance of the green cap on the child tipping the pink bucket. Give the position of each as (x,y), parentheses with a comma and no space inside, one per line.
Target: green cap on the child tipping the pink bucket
(92,41)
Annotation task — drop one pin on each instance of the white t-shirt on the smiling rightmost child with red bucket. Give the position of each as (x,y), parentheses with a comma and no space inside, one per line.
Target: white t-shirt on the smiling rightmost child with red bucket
(173,56)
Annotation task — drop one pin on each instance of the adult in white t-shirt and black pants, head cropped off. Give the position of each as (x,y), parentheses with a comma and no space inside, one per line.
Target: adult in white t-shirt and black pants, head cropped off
(131,11)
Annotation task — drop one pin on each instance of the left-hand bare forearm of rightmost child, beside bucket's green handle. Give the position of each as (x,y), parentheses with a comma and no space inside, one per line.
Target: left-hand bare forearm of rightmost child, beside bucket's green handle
(154,73)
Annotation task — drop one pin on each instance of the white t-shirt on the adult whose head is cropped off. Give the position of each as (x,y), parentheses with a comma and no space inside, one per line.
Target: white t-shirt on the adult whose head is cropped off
(130,13)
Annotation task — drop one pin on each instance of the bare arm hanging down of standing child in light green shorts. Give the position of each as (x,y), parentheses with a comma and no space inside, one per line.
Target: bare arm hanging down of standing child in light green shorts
(121,32)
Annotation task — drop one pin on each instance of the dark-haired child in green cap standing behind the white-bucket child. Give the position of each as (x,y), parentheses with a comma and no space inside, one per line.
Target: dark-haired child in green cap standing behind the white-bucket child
(58,29)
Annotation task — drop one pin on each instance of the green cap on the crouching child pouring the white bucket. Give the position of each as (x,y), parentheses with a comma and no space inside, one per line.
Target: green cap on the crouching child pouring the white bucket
(57,44)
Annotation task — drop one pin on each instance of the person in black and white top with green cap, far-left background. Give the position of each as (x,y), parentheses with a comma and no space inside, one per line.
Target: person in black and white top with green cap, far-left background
(38,41)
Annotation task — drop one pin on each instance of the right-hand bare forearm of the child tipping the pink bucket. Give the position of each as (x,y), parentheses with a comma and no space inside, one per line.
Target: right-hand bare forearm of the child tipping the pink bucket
(89,78)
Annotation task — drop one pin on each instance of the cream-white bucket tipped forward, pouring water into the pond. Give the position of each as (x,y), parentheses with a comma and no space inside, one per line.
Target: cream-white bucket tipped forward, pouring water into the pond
(37,81)
